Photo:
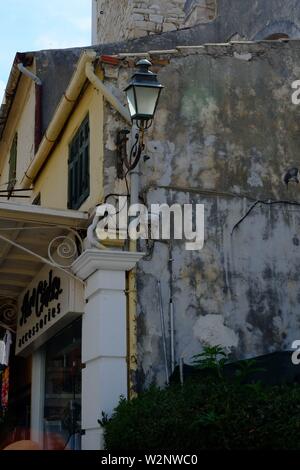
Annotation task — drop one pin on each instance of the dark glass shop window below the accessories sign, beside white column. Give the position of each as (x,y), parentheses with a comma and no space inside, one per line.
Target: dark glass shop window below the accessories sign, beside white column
(62,414)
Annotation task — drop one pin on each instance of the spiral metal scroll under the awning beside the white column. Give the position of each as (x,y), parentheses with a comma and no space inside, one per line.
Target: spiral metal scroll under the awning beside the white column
(64,249)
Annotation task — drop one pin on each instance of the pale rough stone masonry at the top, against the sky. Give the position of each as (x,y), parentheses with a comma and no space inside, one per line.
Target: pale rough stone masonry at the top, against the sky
(119,20)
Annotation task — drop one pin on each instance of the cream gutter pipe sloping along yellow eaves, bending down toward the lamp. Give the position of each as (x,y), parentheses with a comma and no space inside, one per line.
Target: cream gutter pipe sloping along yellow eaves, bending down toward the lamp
(84,71)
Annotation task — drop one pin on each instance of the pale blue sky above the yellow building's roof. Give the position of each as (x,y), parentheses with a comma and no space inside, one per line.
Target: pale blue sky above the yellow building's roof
(29,25)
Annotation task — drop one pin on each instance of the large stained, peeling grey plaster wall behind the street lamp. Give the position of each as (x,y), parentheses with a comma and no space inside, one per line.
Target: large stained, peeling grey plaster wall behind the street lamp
(225,133)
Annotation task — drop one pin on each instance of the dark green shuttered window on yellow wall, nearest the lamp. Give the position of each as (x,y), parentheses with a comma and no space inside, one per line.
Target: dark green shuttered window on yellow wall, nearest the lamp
(79,166)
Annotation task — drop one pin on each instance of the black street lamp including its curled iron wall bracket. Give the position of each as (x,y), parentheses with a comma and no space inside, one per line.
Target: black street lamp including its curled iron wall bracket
(142,94)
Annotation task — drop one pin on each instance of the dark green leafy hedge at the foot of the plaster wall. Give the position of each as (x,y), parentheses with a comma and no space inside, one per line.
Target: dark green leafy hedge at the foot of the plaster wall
(208,413)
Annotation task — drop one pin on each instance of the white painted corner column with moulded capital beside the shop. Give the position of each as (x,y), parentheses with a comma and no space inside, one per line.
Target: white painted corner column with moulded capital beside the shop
(104,336)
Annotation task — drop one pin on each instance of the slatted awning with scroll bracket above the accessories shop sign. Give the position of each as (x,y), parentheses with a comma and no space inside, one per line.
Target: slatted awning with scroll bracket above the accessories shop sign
(30,237)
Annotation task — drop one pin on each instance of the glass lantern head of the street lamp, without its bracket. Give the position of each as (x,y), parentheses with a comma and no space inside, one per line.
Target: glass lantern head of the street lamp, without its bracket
(143,94)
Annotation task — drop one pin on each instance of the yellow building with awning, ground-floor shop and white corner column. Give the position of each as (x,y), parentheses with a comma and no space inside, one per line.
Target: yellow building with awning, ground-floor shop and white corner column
(72,304)
